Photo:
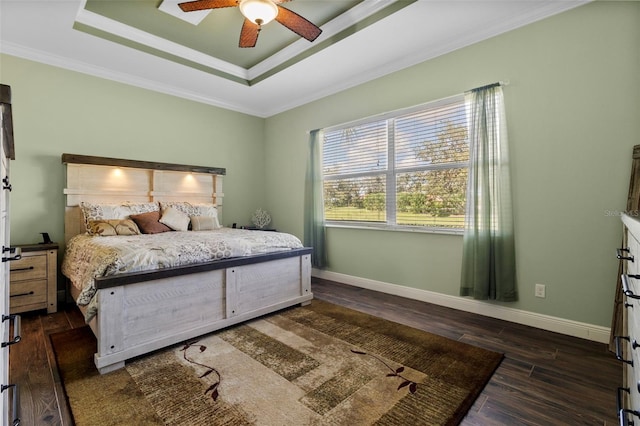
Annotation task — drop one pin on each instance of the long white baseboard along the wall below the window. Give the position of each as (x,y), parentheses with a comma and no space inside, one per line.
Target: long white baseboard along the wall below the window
(559,325)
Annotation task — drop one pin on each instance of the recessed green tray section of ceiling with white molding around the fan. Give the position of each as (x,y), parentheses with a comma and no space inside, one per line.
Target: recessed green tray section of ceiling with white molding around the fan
(208,40)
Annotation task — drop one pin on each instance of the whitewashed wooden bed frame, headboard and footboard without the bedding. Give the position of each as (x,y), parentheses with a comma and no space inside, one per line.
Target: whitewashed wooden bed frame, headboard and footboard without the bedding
(145,311)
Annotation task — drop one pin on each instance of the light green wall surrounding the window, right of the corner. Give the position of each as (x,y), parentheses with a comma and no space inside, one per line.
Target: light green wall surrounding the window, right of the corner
(573,111)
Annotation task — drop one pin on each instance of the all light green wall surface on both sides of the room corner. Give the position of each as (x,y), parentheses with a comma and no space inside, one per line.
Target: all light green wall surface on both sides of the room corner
(573,106)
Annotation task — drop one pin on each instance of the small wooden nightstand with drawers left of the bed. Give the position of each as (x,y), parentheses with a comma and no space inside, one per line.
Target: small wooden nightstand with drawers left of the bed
(33,279)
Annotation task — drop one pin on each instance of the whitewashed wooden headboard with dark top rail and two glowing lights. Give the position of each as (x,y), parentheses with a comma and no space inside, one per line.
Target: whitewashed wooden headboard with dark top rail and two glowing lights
(114,180)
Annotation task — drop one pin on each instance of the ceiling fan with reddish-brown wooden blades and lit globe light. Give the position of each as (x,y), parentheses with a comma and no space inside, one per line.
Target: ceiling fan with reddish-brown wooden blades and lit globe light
(258,13)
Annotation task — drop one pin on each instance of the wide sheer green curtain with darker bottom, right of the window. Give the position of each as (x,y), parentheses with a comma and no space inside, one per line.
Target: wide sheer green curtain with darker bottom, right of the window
(488,258)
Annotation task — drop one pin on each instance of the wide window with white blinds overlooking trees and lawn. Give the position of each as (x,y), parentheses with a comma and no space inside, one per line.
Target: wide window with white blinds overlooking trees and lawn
(406,169)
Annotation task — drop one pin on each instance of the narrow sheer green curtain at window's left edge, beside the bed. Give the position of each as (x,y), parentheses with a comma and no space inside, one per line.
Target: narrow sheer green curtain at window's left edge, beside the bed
(314,229)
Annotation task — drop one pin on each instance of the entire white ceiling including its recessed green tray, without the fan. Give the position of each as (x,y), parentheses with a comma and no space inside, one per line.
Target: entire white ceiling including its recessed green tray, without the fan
(152,44)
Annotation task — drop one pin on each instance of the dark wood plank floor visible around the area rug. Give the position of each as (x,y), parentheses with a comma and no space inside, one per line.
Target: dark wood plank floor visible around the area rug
(545,378)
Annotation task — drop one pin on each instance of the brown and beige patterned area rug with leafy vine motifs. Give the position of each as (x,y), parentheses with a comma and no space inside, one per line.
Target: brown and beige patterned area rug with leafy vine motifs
(321,364)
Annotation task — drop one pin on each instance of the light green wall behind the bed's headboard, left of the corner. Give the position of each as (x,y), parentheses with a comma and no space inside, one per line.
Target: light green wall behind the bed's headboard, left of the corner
(59,111)
